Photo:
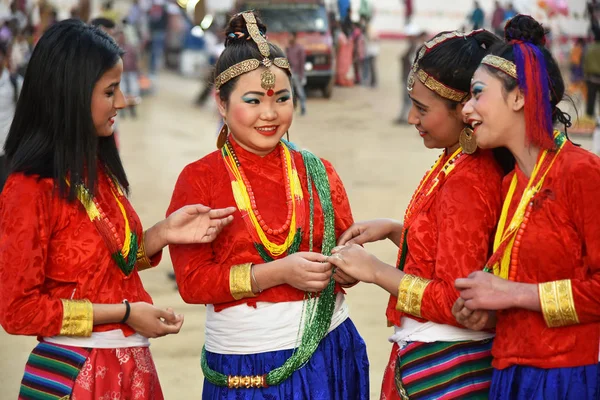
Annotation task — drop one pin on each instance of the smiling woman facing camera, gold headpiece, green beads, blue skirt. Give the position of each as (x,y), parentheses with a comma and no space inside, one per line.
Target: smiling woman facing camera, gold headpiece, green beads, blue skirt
(277,326)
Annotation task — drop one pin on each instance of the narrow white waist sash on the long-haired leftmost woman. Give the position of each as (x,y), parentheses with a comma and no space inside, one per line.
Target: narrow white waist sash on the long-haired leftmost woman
(114,339)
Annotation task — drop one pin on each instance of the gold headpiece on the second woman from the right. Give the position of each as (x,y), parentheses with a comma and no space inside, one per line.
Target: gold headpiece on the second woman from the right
(429,81)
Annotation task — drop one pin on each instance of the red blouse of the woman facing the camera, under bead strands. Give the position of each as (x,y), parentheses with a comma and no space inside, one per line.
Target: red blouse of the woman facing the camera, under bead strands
(202,271)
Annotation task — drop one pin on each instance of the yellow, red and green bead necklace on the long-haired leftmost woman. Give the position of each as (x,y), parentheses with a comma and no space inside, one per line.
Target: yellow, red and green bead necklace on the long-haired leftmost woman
(124,253)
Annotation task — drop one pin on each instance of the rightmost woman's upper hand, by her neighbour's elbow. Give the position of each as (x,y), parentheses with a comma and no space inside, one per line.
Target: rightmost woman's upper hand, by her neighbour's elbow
(485,291)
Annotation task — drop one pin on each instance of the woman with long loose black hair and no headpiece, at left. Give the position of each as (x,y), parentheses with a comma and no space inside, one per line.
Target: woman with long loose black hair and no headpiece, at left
(71,244)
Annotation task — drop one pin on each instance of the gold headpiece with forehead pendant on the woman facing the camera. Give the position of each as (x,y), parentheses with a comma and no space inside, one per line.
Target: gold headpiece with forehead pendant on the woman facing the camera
(267,78)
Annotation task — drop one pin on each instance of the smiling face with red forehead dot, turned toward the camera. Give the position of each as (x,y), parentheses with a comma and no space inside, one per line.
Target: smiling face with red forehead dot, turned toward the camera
(256,120)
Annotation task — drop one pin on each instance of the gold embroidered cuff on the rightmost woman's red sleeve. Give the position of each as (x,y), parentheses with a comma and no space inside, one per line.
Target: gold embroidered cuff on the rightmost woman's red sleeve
(557,303)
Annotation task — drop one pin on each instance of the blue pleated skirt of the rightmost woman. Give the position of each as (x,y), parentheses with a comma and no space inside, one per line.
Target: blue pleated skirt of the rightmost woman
(522,382)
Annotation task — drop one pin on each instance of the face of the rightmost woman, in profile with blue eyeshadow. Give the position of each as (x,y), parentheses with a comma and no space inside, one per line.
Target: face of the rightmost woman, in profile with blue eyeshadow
(494,114)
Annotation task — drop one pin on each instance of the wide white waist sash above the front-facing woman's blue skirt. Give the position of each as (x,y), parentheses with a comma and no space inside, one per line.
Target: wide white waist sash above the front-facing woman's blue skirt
(268,327)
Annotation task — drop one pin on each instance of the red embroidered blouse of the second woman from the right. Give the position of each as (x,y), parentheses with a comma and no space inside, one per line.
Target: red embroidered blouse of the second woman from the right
(453,236)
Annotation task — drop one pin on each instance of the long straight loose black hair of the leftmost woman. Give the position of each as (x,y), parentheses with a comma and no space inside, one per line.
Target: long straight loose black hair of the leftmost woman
(52,134)
